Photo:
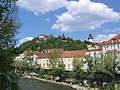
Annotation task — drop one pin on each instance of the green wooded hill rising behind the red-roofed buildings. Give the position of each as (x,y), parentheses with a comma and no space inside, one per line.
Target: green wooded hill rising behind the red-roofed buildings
(49,42)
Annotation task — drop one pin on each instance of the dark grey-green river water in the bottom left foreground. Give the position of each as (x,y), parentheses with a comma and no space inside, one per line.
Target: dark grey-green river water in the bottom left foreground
(31,84)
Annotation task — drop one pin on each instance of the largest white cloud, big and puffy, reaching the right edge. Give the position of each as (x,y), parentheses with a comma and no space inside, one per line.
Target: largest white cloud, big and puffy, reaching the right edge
(85,15)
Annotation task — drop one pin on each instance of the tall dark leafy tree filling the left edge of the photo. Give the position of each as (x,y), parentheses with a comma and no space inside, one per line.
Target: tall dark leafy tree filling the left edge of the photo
(8,29)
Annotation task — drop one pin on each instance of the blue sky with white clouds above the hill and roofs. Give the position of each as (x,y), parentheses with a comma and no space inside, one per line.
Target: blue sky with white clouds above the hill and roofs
(75,18)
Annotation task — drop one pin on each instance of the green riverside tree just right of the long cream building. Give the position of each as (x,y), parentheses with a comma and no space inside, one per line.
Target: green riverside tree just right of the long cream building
(92,72)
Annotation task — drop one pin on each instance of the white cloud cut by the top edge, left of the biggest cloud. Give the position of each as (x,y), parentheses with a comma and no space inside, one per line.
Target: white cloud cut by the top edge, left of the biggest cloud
(41,6)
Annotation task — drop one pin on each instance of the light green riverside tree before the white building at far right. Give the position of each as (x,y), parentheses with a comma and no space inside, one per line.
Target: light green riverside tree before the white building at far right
(110,62)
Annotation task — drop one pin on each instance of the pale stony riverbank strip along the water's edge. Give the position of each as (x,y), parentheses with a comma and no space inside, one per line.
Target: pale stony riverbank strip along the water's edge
(74,86)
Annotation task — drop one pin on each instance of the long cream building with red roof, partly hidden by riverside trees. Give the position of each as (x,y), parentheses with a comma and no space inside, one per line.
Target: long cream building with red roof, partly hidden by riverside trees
(67,58)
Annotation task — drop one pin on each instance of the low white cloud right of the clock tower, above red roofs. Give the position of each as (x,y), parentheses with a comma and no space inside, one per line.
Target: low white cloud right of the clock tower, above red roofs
(103,37)
